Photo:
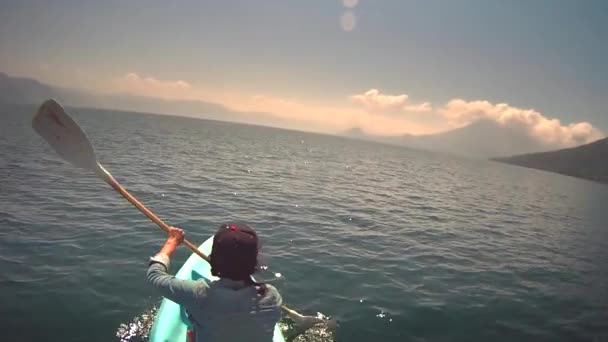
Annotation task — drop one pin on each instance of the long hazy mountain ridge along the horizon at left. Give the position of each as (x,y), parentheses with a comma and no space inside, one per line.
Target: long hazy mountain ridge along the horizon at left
(21,90)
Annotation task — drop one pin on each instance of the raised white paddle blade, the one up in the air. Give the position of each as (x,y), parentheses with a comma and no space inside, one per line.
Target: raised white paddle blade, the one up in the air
(64,135)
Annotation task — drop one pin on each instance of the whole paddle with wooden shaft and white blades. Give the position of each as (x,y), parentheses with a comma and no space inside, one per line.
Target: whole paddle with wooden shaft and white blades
(64,135)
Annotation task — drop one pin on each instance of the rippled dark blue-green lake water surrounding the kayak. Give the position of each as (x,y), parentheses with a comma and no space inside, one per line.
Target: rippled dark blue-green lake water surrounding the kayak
(401,245)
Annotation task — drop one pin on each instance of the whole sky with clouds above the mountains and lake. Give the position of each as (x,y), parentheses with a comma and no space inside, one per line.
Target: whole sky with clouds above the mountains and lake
(386,66)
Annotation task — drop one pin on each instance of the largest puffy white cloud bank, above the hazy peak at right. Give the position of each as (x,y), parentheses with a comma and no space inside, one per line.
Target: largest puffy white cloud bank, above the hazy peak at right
(549,131)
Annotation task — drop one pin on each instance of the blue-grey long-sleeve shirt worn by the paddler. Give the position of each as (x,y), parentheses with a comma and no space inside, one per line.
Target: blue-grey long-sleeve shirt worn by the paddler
(222,310)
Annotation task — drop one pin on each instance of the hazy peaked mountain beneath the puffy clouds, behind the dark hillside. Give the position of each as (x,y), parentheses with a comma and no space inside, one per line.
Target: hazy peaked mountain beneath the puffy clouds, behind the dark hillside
(481,139)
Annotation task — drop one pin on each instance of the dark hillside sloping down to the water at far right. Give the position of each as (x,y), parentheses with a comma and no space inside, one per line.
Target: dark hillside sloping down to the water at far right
(587,161)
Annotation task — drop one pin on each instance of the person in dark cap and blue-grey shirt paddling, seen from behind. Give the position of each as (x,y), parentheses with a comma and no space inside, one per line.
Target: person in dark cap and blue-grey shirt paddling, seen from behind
(233,308)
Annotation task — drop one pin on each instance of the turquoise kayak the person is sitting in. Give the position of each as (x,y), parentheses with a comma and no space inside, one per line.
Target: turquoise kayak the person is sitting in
(171,324)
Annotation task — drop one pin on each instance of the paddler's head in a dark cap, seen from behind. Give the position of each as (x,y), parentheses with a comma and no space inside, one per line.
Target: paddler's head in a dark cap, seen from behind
(235,252)
